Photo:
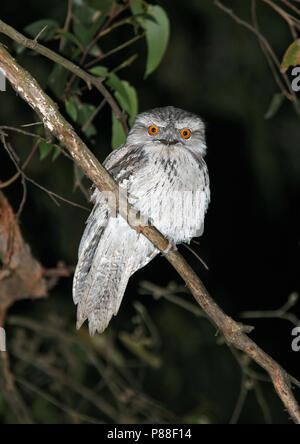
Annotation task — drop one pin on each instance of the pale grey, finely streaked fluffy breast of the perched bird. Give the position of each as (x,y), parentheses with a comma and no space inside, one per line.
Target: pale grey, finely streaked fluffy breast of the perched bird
(170,190)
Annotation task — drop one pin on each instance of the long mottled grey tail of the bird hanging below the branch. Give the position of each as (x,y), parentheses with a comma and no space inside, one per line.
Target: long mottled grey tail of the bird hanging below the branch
(102,275)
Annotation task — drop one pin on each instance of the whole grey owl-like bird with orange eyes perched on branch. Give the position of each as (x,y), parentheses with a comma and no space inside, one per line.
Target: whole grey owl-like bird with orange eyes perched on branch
(161,166)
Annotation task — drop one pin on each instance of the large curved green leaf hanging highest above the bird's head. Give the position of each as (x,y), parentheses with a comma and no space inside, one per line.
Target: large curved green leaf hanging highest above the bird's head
(157,36)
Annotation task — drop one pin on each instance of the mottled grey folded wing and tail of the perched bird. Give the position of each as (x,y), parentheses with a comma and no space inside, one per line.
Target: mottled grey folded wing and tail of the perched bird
(110,251)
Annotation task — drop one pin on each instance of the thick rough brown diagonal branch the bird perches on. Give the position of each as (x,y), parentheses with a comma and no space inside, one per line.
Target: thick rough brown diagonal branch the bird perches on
(27,87)
